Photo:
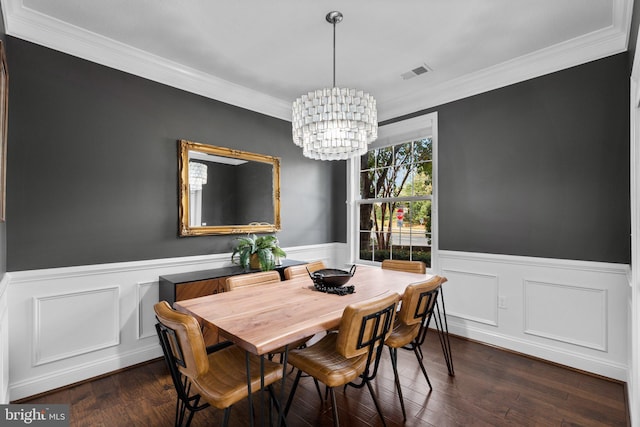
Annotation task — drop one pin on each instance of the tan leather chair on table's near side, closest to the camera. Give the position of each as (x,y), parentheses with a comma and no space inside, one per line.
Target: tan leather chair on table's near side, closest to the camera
(352,354)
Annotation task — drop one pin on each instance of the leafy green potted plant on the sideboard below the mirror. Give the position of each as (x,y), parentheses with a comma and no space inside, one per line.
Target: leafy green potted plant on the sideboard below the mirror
(257,252)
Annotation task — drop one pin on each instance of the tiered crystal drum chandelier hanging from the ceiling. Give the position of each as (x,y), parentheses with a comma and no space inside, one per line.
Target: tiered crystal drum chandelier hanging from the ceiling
(336,123)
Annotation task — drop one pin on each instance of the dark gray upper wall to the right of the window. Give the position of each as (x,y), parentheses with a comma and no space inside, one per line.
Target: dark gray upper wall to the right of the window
(540,168)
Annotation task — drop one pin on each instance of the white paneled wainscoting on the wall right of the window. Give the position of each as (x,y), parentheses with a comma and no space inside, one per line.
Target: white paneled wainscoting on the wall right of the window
(570,312)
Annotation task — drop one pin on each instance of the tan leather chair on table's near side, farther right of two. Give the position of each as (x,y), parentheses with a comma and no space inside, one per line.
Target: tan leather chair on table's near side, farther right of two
(417,307)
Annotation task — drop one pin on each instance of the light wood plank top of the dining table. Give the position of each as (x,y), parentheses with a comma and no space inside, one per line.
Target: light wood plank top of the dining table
(264,318)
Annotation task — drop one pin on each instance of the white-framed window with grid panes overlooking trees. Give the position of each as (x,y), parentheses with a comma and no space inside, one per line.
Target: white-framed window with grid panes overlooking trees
(399,172)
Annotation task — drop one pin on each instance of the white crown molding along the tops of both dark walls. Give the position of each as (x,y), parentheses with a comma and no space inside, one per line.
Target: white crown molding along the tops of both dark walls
(29,25)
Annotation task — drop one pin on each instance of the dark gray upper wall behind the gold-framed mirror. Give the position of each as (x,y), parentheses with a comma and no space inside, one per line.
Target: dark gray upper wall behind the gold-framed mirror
(92,172)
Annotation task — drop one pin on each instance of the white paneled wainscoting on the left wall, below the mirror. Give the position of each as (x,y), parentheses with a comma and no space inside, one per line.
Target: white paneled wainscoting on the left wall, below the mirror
(71,324)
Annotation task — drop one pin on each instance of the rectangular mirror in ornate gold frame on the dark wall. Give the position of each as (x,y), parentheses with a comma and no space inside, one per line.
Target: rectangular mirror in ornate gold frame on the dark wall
(226,191)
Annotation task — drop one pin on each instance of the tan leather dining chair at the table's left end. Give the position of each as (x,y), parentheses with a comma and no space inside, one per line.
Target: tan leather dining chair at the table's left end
(219,378)
